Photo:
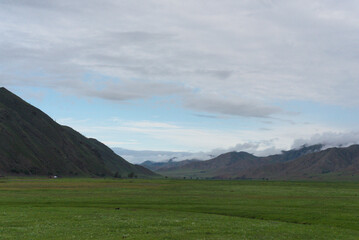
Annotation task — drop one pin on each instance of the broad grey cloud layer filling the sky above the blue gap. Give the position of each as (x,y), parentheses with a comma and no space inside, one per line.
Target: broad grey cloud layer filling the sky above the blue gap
(221,57)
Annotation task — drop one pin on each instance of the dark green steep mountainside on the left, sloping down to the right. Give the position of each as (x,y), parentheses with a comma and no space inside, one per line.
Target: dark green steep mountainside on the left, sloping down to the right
(31,143)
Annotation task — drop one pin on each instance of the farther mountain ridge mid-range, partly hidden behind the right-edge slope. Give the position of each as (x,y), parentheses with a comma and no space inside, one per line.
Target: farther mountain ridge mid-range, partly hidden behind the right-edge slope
(230,165)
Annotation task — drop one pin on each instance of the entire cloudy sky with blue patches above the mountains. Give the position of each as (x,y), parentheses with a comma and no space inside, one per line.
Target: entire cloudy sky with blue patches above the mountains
(194,76)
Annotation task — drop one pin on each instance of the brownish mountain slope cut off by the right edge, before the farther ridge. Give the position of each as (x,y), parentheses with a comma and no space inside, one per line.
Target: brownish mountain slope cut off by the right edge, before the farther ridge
(332,163)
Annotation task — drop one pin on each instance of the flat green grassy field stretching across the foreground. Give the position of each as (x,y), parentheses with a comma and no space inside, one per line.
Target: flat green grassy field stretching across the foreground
(177,209)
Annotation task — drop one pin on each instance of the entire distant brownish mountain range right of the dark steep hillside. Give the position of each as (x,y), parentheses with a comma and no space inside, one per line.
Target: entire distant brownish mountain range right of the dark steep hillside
(308,162)
